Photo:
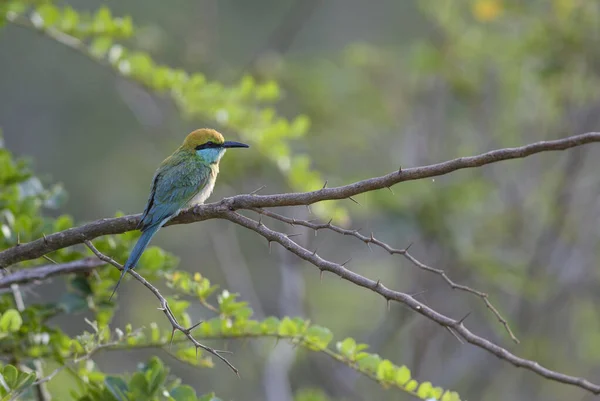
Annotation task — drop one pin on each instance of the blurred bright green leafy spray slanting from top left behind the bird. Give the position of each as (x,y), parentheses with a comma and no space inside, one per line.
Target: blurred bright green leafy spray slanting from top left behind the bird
(245,107)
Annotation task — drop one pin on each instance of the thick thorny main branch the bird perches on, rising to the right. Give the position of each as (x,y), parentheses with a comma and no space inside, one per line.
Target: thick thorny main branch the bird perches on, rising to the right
(73,236)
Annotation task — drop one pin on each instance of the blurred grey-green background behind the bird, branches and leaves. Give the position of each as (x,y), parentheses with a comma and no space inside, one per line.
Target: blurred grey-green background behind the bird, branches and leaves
(384,84)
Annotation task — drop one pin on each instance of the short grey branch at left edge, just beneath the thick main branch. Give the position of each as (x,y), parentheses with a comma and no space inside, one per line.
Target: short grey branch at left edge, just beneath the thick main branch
(33,274)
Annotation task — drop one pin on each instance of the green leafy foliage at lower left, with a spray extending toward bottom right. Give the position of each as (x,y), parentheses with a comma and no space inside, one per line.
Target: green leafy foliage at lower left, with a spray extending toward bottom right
(26,337)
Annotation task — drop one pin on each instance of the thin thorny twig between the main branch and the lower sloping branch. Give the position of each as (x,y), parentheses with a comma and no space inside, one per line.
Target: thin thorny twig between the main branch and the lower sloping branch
(392,251)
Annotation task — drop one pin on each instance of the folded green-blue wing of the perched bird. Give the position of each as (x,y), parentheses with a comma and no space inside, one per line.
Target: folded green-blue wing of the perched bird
(175,183)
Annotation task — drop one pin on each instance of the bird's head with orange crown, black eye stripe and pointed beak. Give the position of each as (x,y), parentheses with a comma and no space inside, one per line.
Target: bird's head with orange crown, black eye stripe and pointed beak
(209,144)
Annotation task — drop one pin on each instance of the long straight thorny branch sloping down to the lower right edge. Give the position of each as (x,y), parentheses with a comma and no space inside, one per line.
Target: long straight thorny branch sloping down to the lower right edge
(376,286)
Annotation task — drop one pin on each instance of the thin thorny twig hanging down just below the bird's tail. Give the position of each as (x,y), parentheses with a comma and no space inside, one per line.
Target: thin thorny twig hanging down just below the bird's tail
(164,307)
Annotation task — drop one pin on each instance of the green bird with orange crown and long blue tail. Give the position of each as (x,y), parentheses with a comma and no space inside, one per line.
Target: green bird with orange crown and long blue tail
(184,179)
